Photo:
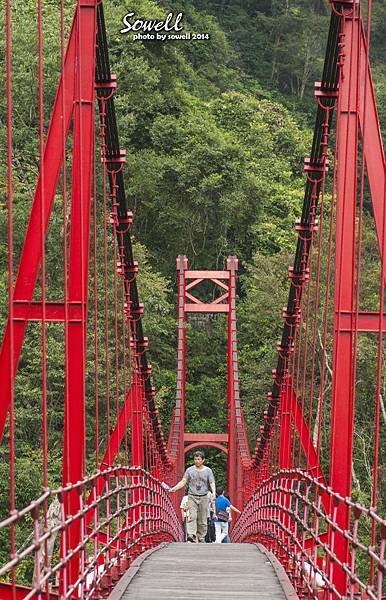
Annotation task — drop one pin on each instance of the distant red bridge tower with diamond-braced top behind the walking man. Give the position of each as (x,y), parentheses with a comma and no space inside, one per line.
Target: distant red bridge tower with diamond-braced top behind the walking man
(237,443)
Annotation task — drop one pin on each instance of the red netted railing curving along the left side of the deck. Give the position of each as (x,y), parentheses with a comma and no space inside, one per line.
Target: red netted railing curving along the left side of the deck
(132,514)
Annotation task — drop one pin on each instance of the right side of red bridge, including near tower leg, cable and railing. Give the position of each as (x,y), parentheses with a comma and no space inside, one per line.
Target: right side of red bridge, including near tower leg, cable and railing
(304,515)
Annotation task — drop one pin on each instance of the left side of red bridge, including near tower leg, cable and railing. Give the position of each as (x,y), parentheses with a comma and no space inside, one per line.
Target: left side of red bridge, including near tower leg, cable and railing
(85,77)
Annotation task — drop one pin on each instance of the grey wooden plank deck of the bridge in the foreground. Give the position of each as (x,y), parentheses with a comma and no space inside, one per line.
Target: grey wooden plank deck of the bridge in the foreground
(204,571)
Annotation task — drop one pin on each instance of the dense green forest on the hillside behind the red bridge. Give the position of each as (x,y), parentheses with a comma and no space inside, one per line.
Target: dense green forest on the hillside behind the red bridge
(215,132)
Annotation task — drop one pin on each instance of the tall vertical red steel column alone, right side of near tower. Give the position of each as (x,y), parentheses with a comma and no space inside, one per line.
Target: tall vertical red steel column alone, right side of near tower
(342,418)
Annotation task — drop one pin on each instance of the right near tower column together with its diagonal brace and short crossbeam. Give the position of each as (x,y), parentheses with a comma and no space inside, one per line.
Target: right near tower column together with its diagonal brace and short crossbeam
(356,107)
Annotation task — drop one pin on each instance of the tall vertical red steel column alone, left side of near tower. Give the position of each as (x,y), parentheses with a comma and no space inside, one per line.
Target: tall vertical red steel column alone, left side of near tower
(82,171)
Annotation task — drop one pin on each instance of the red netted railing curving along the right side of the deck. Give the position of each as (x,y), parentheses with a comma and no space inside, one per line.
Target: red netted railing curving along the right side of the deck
(295,516)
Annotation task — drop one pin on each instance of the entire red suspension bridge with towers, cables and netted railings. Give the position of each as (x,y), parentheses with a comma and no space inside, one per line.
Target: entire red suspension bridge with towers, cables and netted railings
(295,488)
